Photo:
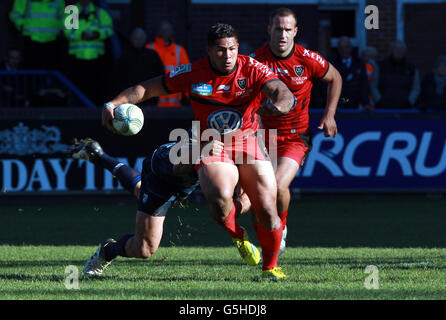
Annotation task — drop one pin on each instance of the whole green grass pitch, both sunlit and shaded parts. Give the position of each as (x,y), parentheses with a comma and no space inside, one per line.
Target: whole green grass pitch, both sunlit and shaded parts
(331,241)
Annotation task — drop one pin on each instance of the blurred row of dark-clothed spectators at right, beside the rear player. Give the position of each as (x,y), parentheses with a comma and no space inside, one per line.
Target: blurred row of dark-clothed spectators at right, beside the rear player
(392,83)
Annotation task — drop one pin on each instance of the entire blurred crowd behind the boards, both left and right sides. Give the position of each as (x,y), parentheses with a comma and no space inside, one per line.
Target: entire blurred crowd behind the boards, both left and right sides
(100,64)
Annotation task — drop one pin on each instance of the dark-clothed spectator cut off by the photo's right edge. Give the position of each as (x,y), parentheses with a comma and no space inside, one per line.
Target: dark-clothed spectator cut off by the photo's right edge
(433,87)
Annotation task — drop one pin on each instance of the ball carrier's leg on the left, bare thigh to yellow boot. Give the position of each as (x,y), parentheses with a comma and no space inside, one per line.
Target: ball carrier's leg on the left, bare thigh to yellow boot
(218,181)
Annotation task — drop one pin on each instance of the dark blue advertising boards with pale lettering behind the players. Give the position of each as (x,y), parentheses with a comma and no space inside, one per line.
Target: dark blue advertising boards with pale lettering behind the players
(384,151)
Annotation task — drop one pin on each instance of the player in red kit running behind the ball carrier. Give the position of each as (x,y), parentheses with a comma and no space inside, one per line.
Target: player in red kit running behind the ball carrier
(297,67)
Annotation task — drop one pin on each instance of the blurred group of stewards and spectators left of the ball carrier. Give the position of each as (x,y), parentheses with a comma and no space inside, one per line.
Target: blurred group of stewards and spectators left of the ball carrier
(82,44)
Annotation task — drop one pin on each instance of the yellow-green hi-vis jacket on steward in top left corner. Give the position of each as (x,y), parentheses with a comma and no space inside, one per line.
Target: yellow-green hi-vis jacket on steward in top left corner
(41,20)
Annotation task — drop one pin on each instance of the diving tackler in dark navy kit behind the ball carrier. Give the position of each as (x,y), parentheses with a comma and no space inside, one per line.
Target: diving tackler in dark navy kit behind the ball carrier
(157,187)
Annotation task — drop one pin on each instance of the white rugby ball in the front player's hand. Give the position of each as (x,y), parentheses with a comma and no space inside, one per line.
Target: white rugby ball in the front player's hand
(128,120)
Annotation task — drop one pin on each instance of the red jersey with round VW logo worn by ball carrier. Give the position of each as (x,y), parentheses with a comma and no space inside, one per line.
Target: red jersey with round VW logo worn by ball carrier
(226,103)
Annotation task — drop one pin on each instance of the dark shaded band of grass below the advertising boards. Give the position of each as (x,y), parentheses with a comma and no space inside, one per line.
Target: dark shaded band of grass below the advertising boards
(356,221)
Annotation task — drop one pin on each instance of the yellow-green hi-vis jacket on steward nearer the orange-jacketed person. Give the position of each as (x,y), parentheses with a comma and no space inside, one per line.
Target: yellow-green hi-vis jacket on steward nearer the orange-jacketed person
(95,25)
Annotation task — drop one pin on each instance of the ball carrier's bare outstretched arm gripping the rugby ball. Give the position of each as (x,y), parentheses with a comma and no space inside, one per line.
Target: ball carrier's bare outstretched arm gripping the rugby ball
(143,91)
